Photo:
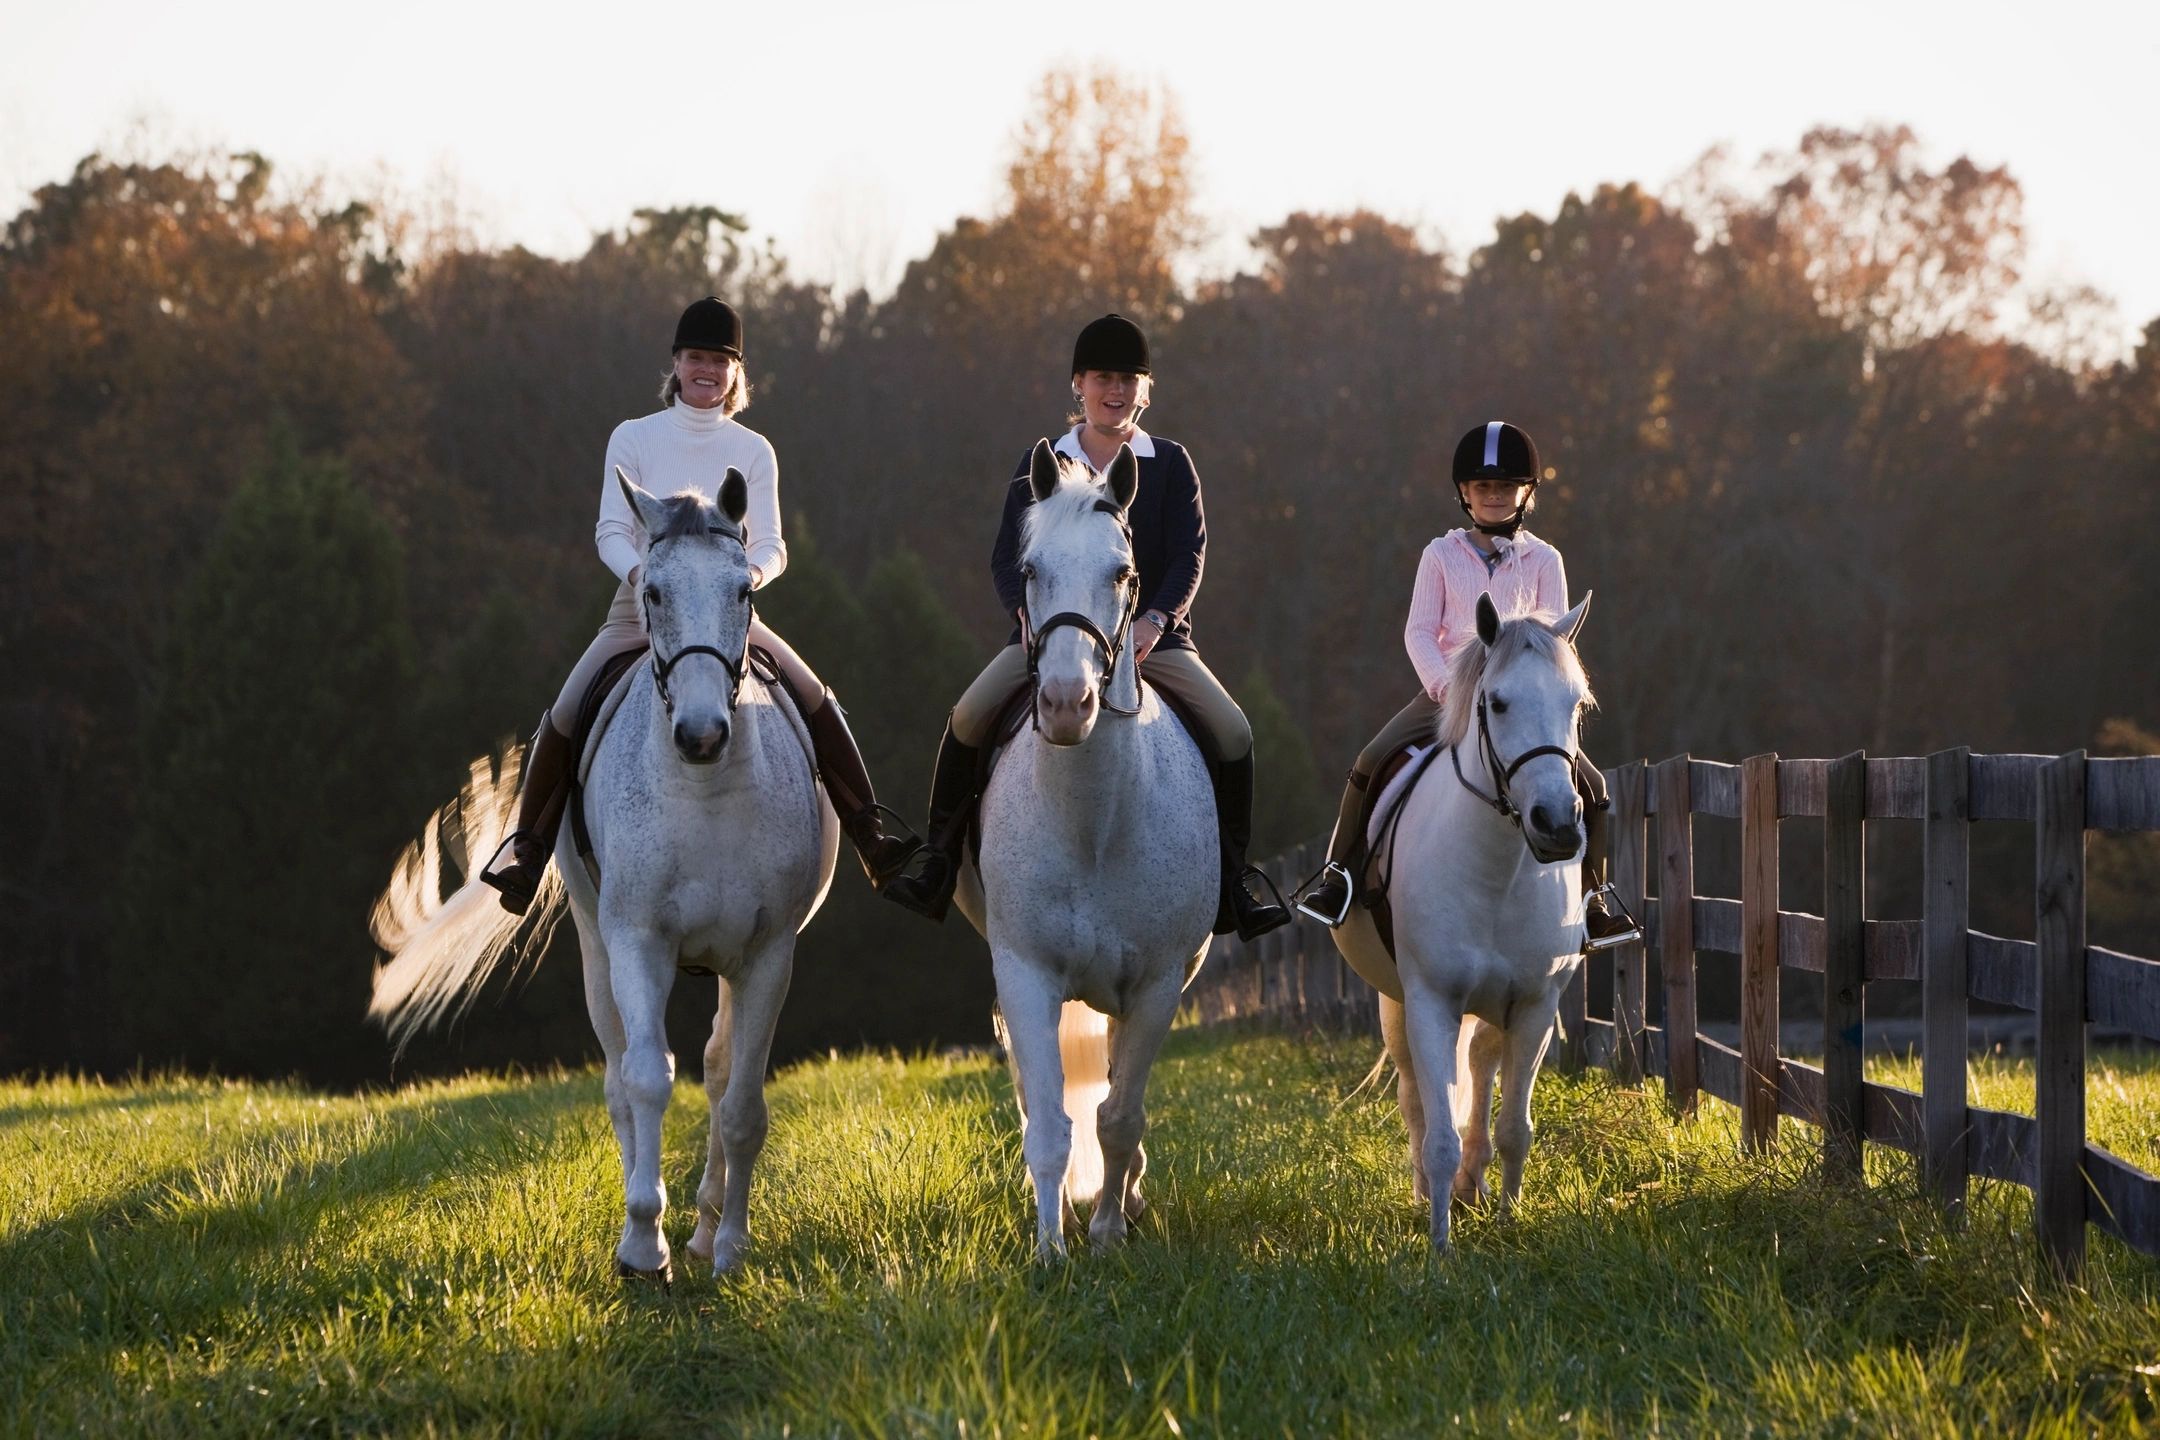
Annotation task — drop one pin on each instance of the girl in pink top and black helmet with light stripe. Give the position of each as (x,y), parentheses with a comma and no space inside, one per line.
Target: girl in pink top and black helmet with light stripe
(1496,476)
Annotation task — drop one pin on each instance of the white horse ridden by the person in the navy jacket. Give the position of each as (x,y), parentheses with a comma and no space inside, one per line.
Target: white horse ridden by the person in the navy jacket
(1098,873)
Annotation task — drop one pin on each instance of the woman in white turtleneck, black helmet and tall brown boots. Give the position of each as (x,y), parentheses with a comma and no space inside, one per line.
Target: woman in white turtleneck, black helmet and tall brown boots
(688,446)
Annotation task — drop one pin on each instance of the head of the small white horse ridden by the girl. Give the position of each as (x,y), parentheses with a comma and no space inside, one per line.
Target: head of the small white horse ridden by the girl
(1520,696)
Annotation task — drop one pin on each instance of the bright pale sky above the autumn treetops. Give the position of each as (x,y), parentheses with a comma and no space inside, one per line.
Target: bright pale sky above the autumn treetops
(854,133)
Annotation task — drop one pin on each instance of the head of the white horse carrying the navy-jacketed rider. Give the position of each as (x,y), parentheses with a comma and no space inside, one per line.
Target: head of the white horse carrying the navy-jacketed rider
(1077,562)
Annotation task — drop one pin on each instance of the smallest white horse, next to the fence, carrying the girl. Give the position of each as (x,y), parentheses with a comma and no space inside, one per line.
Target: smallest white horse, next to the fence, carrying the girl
(1487,897)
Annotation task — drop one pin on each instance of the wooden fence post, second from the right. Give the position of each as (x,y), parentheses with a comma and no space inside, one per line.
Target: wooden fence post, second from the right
(1945,929)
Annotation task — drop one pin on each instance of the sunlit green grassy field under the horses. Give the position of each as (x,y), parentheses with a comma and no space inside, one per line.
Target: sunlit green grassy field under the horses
(204,1260)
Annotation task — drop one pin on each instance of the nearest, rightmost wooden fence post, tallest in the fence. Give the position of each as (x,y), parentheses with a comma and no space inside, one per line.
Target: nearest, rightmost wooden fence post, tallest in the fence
(2060,1068)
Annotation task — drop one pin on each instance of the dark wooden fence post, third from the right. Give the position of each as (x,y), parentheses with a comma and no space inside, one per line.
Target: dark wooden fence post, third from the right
(1846,904)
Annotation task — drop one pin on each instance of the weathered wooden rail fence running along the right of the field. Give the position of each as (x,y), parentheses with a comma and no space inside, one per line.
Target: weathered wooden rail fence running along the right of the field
(2066,983)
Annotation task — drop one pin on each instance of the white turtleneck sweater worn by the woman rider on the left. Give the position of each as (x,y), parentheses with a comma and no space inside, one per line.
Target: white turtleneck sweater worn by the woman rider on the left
(686,448)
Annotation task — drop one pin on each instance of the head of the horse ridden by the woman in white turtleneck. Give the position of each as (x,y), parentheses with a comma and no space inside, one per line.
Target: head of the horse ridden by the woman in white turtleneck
(694,593)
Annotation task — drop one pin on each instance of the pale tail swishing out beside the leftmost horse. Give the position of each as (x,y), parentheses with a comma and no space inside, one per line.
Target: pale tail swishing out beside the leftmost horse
(446,947)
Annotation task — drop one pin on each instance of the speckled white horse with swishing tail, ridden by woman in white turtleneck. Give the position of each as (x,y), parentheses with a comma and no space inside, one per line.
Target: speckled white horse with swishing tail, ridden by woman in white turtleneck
(714,847)
